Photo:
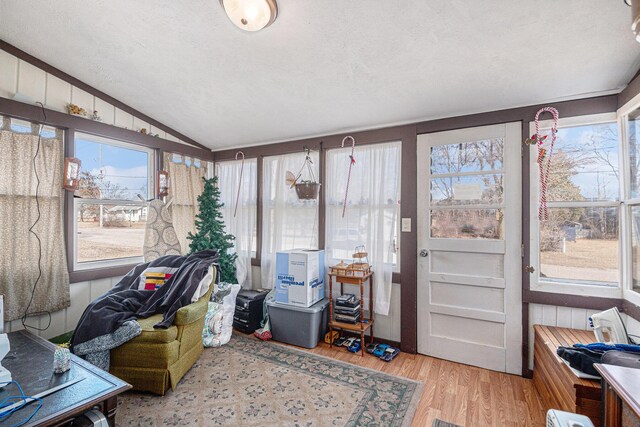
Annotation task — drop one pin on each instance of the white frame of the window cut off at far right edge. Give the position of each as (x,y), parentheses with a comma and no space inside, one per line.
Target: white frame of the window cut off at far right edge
(627,260)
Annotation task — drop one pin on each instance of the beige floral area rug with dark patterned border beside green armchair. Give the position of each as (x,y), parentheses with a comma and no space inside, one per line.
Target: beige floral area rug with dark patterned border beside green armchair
(255,383)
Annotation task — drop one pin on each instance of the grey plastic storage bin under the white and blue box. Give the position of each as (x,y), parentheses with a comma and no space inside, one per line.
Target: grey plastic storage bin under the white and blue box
(301,326)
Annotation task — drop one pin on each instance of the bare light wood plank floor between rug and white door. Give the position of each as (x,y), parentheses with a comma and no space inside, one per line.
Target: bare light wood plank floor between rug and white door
(460,394)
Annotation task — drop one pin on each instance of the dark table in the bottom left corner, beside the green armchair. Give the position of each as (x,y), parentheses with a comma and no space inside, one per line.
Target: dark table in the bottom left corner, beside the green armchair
(30,362)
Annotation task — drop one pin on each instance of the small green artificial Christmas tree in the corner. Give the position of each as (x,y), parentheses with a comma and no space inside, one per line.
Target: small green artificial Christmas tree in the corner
(210,232)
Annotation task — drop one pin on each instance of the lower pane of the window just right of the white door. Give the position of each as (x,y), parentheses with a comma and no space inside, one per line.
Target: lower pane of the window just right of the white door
(580,245)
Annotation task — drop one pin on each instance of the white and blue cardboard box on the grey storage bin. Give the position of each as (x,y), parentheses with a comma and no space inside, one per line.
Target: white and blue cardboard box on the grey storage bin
(300,277)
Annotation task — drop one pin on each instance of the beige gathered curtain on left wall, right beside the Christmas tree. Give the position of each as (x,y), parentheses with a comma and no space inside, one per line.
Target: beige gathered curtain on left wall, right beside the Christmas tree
(186,176)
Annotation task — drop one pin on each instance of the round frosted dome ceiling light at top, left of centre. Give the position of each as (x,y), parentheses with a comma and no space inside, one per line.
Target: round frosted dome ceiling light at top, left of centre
(251,15)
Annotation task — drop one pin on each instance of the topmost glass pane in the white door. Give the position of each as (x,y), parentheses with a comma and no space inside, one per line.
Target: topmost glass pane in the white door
(472,156)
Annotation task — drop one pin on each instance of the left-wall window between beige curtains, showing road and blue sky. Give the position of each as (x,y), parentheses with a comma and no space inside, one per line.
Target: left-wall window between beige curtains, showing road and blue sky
(110,210)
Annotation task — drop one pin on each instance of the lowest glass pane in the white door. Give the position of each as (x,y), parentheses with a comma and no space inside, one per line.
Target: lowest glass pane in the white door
(467,223)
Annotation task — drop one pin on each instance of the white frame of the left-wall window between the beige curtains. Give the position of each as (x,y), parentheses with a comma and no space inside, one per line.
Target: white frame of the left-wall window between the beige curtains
(151,159)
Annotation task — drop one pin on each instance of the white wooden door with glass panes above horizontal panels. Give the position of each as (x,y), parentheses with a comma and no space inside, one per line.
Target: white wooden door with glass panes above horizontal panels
(469,239)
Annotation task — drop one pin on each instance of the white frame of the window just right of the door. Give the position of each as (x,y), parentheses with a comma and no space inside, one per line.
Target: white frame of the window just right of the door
(597,289)
